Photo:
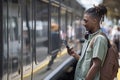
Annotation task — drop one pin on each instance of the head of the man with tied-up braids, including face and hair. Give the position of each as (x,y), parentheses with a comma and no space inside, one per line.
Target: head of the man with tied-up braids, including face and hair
(93,16)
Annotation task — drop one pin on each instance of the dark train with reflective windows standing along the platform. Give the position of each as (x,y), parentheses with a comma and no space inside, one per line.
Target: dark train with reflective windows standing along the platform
(25,27)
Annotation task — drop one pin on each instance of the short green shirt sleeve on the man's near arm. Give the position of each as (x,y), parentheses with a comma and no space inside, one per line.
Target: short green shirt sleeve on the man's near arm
(100,47)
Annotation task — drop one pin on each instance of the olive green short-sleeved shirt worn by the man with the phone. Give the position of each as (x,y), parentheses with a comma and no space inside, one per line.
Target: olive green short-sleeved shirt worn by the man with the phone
(98,50)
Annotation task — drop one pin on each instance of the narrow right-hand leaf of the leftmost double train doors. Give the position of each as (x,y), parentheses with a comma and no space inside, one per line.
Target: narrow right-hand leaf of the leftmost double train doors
(27,24)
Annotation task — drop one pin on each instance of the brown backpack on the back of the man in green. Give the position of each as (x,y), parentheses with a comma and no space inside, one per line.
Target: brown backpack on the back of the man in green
(110,66)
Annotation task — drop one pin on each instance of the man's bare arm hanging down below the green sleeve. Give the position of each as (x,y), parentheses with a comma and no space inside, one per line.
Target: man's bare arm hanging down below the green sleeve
(93,69)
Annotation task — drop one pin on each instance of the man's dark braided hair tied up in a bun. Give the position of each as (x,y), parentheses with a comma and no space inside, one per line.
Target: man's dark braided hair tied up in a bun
(97,12)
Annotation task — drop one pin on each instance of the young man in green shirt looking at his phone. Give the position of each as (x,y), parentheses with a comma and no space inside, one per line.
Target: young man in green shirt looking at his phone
(91,59)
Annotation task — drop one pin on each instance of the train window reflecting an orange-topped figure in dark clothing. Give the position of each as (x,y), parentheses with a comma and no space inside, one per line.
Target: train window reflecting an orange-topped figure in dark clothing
(54,28)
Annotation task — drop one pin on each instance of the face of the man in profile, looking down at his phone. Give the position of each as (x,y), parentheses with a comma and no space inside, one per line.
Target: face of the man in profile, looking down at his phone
(88,22)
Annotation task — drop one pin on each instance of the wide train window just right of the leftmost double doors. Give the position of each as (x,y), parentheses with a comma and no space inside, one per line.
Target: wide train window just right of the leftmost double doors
(41,30)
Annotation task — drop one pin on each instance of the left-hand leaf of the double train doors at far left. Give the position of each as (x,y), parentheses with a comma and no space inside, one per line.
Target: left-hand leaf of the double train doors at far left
(11,40)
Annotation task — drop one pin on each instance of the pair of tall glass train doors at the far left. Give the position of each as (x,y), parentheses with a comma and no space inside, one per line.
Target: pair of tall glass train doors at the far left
(17,39)
